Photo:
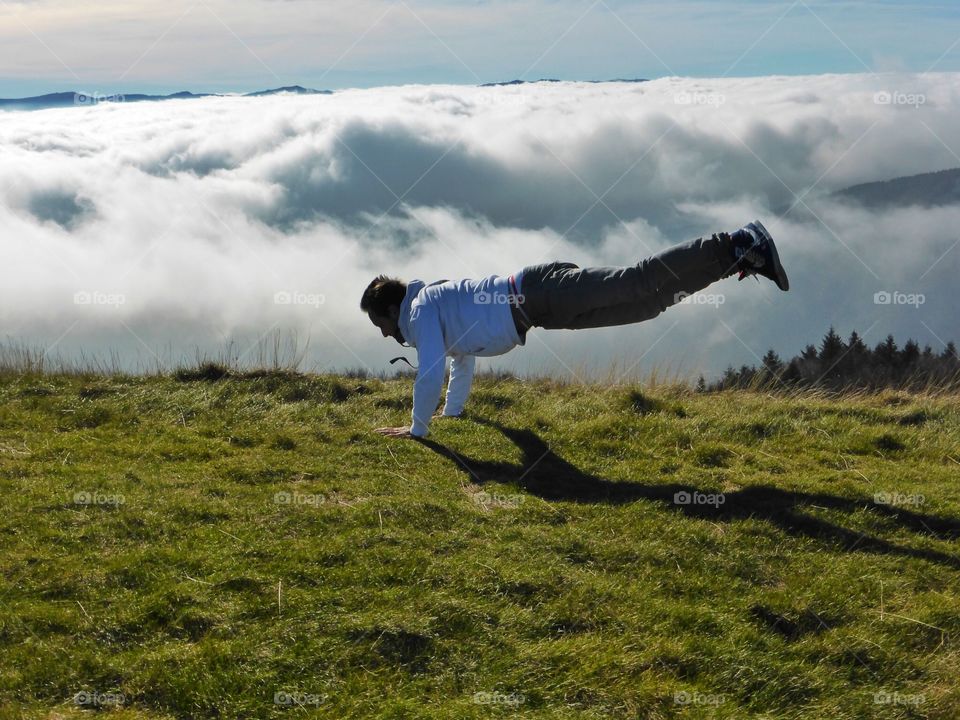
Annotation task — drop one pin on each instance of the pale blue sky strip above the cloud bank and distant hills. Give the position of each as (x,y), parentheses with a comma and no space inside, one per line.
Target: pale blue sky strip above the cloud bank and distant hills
(240,45)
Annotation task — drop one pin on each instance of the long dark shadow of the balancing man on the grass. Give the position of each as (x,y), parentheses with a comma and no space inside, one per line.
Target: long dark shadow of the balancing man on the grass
(545,474)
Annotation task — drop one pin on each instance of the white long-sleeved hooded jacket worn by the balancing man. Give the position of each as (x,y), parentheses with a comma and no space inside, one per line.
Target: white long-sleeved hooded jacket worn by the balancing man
(459,318)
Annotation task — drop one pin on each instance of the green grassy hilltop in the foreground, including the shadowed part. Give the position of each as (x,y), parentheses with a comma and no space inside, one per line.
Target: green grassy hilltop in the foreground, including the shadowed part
(250,535)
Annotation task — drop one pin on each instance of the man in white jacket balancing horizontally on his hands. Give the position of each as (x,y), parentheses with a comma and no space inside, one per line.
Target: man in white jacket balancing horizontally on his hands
(466,318)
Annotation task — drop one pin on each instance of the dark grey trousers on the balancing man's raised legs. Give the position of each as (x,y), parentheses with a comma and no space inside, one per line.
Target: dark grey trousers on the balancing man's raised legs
(562,295)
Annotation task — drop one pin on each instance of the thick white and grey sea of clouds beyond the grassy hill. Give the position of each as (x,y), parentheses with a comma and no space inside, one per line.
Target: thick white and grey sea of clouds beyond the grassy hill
(154,230)
